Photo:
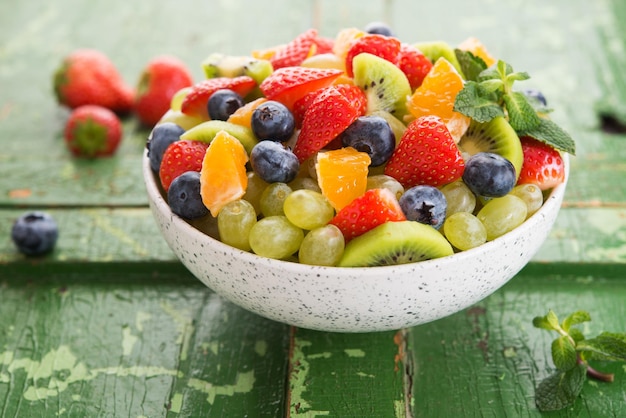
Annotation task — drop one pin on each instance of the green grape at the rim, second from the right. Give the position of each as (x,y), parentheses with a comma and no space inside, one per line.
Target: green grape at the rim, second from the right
(502,214)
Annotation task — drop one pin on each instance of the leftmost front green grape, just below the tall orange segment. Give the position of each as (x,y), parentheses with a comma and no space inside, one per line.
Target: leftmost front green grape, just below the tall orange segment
(234,223)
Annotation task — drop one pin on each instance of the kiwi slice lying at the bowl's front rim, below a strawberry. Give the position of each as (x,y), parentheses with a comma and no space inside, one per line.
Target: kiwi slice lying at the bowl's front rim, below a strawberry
(394,243)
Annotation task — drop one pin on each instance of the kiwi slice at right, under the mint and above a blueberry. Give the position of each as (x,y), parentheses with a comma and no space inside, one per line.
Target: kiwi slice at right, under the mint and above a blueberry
(495,136)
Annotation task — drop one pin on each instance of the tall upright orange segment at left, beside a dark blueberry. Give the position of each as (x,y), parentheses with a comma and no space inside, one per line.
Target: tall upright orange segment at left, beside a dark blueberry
(223,176)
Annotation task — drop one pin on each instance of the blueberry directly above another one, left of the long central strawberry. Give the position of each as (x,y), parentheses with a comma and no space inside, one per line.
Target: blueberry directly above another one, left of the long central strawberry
(272,120)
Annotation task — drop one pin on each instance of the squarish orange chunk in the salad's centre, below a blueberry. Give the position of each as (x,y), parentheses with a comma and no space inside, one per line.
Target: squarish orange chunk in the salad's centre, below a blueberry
(342,175)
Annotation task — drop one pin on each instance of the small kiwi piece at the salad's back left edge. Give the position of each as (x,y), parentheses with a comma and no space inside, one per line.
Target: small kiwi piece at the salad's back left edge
(220,65)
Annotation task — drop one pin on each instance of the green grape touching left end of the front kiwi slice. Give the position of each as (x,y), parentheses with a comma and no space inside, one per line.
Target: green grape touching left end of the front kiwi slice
(322,246)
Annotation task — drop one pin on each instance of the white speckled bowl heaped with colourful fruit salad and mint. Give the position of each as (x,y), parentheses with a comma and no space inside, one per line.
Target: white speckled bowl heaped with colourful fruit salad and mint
(329,190)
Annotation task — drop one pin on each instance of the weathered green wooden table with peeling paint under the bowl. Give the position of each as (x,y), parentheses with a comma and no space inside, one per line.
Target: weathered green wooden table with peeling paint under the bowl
(111,325)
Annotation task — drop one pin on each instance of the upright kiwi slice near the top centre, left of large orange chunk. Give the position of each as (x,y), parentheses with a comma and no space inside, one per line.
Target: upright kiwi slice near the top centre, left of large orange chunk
(384,84)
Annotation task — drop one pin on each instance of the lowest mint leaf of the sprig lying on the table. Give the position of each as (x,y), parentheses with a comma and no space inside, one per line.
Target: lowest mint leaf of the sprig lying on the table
(561,389)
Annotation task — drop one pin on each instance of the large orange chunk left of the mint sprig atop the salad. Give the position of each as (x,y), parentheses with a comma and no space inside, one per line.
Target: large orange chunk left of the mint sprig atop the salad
(436,96)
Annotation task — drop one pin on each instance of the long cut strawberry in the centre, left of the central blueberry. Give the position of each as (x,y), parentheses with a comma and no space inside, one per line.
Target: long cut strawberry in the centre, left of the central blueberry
(330,112)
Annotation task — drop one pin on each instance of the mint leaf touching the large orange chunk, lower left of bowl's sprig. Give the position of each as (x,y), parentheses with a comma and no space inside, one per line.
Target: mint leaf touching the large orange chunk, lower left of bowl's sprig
(477,103)
